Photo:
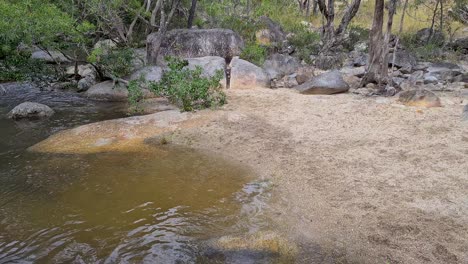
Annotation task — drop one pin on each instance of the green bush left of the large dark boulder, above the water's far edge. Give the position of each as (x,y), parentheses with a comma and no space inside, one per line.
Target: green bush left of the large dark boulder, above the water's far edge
(115,62)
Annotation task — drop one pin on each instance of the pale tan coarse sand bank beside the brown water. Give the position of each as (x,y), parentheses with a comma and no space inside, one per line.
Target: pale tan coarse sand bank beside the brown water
(356,179)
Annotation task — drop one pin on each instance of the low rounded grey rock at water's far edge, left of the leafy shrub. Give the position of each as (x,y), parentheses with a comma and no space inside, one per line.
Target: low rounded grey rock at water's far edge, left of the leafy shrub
(106,91)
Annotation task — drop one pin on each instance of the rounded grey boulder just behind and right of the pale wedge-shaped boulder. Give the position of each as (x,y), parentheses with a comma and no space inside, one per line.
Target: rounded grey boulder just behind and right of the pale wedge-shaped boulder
(279,65)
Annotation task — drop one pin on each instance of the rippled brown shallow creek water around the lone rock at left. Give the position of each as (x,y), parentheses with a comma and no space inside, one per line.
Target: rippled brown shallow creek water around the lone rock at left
(153,207)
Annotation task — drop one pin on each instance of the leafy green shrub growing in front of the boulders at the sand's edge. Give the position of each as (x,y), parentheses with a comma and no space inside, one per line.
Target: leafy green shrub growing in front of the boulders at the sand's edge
(188,88)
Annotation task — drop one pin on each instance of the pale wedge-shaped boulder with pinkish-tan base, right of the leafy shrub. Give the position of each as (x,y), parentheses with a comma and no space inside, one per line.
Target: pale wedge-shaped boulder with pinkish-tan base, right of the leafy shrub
(245,75)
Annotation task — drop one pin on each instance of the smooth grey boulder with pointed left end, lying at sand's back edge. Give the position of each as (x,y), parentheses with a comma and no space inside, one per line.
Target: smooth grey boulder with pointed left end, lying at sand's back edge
(326,83)
